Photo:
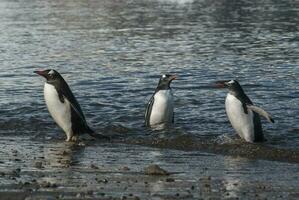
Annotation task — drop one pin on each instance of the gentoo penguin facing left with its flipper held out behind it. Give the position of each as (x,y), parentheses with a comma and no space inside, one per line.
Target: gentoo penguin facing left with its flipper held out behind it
(242,114)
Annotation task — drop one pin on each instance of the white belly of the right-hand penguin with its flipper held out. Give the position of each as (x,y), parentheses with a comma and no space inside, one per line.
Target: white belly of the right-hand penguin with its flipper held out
(241,122)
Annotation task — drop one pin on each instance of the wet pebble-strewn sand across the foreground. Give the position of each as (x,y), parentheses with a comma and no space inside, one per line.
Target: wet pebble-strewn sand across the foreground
(52,169)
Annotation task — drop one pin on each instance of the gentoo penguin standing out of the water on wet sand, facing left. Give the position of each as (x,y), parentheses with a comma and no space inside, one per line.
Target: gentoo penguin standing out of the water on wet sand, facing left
(64,107)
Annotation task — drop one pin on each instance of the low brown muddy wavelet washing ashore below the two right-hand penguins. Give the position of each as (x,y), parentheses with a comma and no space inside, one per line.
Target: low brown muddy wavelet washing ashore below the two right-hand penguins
(255,151)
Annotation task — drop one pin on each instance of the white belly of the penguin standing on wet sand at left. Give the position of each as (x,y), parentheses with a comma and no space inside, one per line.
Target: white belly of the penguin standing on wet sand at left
(61,112)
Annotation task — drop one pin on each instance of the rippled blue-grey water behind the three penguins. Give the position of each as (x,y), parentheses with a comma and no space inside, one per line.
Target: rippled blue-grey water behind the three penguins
(112,53)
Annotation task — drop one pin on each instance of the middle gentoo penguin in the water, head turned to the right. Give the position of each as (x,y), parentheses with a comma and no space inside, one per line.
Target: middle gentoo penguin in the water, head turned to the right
(160,106)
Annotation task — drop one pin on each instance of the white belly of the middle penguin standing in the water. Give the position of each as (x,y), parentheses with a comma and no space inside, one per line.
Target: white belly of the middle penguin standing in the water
(162,109)
